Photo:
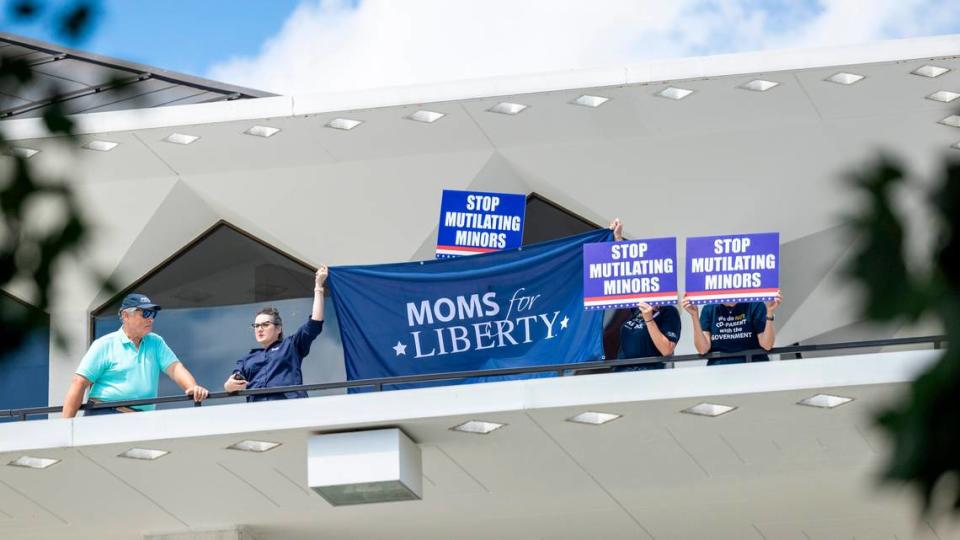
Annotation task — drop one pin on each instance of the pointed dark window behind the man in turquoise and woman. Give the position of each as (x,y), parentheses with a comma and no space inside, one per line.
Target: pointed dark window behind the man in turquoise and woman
(209,293)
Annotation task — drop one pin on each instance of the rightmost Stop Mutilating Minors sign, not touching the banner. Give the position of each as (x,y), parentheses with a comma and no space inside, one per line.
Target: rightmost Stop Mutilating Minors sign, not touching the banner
(733,268)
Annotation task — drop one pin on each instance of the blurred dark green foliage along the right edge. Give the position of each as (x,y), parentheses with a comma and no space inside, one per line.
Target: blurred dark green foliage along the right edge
(925,428)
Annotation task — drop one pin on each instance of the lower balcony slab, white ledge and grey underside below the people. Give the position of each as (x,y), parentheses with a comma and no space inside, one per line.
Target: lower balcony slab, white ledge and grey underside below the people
(771,466)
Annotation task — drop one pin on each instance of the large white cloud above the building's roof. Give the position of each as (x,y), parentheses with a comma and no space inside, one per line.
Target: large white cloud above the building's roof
(334,45)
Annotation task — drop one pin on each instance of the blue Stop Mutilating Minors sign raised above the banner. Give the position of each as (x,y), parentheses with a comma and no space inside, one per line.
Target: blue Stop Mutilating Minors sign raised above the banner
(473,222)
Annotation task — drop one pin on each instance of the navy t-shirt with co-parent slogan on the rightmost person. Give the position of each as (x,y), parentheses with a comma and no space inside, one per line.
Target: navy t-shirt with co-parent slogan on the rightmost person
(734,329)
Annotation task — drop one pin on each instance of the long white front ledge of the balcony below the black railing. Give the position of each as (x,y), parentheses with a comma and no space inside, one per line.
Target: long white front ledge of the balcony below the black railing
(386,408)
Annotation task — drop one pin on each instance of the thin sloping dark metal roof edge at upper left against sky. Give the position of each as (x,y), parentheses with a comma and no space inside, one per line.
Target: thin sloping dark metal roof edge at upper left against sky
(133,67)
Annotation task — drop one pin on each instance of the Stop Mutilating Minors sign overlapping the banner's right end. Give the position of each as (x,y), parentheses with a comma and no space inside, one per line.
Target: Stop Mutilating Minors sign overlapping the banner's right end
(623,274)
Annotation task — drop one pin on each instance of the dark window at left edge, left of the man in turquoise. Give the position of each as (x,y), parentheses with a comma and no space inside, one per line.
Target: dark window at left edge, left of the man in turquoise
(25,372)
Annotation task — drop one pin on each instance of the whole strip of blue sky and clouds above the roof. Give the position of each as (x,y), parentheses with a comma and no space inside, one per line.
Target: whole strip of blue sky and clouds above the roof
(305,46)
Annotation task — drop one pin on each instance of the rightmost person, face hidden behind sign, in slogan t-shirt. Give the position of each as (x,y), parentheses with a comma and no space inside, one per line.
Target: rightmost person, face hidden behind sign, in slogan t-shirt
(730,328)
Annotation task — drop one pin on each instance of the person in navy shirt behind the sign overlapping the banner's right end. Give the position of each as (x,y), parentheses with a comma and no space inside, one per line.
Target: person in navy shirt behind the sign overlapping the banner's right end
(650,330)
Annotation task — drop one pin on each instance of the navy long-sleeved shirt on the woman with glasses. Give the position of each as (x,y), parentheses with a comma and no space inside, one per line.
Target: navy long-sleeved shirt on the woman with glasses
(279,364)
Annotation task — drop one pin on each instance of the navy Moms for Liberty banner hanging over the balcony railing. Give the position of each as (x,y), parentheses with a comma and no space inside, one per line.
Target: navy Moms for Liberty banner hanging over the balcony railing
(507,309)
